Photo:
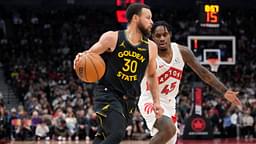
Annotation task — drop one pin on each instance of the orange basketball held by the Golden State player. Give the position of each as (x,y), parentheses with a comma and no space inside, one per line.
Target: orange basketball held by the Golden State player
(90,67)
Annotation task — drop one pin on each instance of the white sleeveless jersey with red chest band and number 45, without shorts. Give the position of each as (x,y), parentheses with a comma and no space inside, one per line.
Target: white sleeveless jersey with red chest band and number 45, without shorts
(169,77)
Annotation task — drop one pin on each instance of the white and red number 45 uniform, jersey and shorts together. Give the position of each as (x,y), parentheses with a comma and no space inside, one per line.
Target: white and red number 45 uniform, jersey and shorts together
(169,76)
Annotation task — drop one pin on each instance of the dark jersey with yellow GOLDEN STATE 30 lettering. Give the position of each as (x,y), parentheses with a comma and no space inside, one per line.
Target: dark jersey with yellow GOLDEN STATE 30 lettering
(125,66)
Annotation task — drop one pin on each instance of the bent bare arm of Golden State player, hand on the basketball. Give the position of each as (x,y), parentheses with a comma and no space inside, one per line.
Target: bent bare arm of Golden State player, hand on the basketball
(107,42)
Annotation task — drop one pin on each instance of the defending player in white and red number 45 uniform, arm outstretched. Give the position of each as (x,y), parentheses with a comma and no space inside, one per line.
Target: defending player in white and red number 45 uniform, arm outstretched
(170,62)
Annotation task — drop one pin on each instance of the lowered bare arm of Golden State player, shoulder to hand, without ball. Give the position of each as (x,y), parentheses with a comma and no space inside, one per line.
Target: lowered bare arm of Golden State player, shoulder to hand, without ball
(152,79)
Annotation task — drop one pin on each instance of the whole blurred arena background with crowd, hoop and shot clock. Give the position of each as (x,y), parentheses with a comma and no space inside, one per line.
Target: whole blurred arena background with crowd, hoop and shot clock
(42,98)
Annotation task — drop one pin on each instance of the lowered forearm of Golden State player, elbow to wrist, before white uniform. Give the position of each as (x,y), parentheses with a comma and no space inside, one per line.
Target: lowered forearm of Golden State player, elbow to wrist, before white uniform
(154,89)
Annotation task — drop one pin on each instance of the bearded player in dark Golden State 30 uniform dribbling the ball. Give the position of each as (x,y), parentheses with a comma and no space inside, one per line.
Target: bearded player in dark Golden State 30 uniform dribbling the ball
(129,55)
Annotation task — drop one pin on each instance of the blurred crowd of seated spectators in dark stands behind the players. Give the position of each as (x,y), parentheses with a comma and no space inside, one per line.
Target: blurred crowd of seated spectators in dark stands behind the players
(37,50)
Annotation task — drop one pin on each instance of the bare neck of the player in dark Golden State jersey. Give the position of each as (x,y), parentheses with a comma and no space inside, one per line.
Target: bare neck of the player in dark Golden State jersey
(133,34)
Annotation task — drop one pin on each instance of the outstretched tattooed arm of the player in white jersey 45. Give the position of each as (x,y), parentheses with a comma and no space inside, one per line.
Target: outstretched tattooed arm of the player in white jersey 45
(207,76)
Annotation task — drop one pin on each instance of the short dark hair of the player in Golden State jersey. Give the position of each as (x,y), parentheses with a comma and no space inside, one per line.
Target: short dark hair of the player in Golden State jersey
(135,9)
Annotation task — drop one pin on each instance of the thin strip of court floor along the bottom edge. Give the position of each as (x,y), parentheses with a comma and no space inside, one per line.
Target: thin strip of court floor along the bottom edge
(214,141)
